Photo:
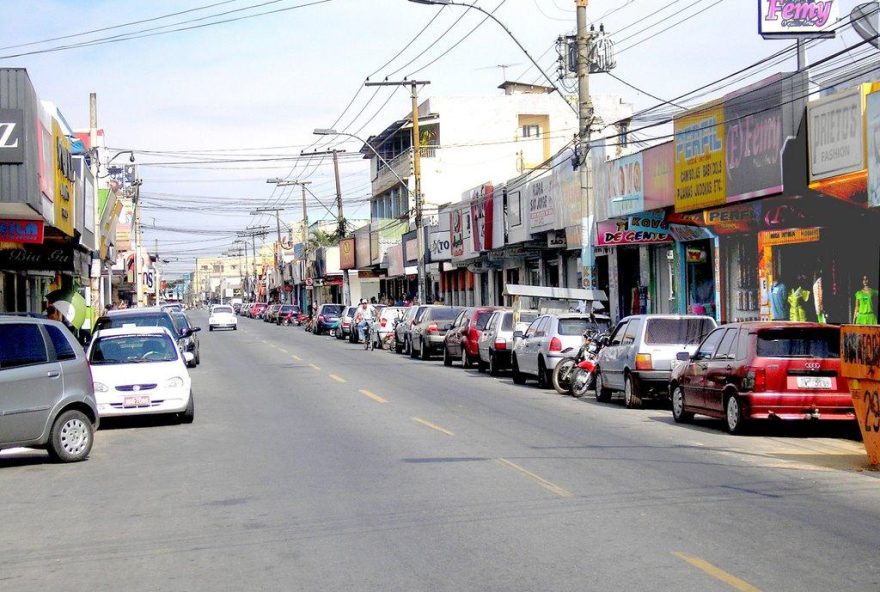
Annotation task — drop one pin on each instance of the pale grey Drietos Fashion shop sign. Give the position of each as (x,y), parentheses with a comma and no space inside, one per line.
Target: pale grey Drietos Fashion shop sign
(835,136)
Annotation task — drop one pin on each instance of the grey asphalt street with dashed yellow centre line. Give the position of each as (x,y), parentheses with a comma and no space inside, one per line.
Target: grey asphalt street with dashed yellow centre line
(314,465)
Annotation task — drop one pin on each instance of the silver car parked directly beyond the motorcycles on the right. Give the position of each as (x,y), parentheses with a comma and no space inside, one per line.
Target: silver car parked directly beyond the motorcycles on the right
(537,351)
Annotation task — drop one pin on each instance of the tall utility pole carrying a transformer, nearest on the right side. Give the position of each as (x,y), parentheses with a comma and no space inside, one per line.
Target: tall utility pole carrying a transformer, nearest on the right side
(585,119)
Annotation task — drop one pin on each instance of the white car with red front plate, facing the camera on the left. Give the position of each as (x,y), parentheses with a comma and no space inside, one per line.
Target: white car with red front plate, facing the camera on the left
(140,371)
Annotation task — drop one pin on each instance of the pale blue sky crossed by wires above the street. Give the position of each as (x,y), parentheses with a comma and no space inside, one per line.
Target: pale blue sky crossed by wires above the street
(269,81)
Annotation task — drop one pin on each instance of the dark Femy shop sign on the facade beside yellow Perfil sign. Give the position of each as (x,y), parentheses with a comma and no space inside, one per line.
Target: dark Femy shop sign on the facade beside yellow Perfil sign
(754,140)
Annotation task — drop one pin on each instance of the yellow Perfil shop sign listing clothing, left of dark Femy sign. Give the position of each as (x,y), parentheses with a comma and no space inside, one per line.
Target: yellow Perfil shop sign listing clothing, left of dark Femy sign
(699,160)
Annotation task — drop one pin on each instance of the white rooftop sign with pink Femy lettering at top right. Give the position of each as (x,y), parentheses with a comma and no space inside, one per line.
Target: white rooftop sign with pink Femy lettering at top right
(797,18)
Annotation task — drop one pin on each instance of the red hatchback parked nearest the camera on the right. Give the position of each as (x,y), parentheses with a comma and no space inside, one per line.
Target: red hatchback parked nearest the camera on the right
(763,370)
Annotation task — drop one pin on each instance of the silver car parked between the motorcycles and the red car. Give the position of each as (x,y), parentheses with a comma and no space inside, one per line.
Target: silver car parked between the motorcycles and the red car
(640,354)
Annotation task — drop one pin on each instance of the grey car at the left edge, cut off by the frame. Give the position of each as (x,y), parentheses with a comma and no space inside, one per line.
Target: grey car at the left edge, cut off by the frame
(46,395)
